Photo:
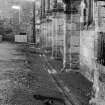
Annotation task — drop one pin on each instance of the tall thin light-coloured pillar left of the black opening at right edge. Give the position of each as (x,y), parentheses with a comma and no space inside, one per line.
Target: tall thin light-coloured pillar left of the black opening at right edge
(96,82)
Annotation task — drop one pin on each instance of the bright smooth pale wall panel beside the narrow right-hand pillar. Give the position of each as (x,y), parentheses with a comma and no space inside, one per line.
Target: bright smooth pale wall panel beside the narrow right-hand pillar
(87,53)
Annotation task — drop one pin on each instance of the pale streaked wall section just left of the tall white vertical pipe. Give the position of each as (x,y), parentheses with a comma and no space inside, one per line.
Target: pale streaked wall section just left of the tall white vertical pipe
(53,32)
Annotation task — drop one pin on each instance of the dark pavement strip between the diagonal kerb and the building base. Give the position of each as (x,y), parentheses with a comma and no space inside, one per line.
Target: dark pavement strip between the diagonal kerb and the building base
(80,88)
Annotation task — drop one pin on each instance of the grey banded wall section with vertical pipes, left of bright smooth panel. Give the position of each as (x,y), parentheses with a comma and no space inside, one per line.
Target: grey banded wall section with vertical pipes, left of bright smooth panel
(71,40)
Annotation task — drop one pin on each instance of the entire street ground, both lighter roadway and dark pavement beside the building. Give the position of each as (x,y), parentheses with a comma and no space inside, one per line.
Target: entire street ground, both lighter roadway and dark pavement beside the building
(25,75)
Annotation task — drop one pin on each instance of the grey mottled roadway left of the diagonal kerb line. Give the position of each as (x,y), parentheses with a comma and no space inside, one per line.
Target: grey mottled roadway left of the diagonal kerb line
(23,76)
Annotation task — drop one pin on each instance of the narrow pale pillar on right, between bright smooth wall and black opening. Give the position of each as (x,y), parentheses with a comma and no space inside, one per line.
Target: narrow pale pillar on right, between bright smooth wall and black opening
(97,66)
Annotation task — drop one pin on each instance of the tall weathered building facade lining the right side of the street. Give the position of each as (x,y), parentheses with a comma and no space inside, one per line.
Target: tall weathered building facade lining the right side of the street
(80,39)
